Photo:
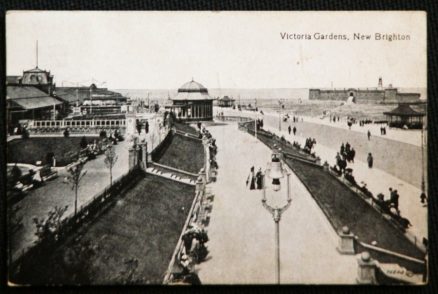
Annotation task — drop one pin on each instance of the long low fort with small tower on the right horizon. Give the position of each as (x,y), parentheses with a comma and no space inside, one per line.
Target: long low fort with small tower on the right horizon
(368,95)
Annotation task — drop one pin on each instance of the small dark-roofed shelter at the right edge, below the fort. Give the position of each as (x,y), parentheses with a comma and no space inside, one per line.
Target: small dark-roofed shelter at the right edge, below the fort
(405,115)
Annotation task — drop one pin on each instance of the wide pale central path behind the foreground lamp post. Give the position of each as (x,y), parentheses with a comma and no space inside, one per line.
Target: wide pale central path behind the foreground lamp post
(241,231)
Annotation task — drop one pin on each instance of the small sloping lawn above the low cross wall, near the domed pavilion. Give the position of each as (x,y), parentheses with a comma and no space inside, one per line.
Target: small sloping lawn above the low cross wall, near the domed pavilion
(182,153)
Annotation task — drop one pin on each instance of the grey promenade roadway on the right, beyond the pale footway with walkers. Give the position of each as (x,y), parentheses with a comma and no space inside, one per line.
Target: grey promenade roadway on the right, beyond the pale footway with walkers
(395,157)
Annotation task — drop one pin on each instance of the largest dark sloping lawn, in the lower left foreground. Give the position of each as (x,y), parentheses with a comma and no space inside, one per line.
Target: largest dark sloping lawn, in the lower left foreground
(143,226)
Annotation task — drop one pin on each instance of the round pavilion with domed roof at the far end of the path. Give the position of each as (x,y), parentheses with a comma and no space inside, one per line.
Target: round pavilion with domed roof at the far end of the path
(192,103)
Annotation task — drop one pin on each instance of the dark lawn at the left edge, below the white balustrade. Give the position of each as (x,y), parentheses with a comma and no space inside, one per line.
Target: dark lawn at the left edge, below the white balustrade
(35,149)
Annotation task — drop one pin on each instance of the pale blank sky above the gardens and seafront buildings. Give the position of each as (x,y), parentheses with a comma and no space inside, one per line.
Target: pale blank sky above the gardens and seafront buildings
(163,50)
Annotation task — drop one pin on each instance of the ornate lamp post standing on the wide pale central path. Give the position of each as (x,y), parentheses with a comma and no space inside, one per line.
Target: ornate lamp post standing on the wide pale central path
(276,171)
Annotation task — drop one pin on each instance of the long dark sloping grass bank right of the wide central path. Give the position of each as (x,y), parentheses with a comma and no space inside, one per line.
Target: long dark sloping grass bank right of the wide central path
(343,207)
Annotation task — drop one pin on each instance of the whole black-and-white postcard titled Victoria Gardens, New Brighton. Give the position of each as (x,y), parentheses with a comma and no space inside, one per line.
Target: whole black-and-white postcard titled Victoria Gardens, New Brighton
(216,147)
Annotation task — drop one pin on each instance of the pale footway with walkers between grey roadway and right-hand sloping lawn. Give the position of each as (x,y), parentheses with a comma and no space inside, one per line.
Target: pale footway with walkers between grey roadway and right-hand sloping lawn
(378,181)
